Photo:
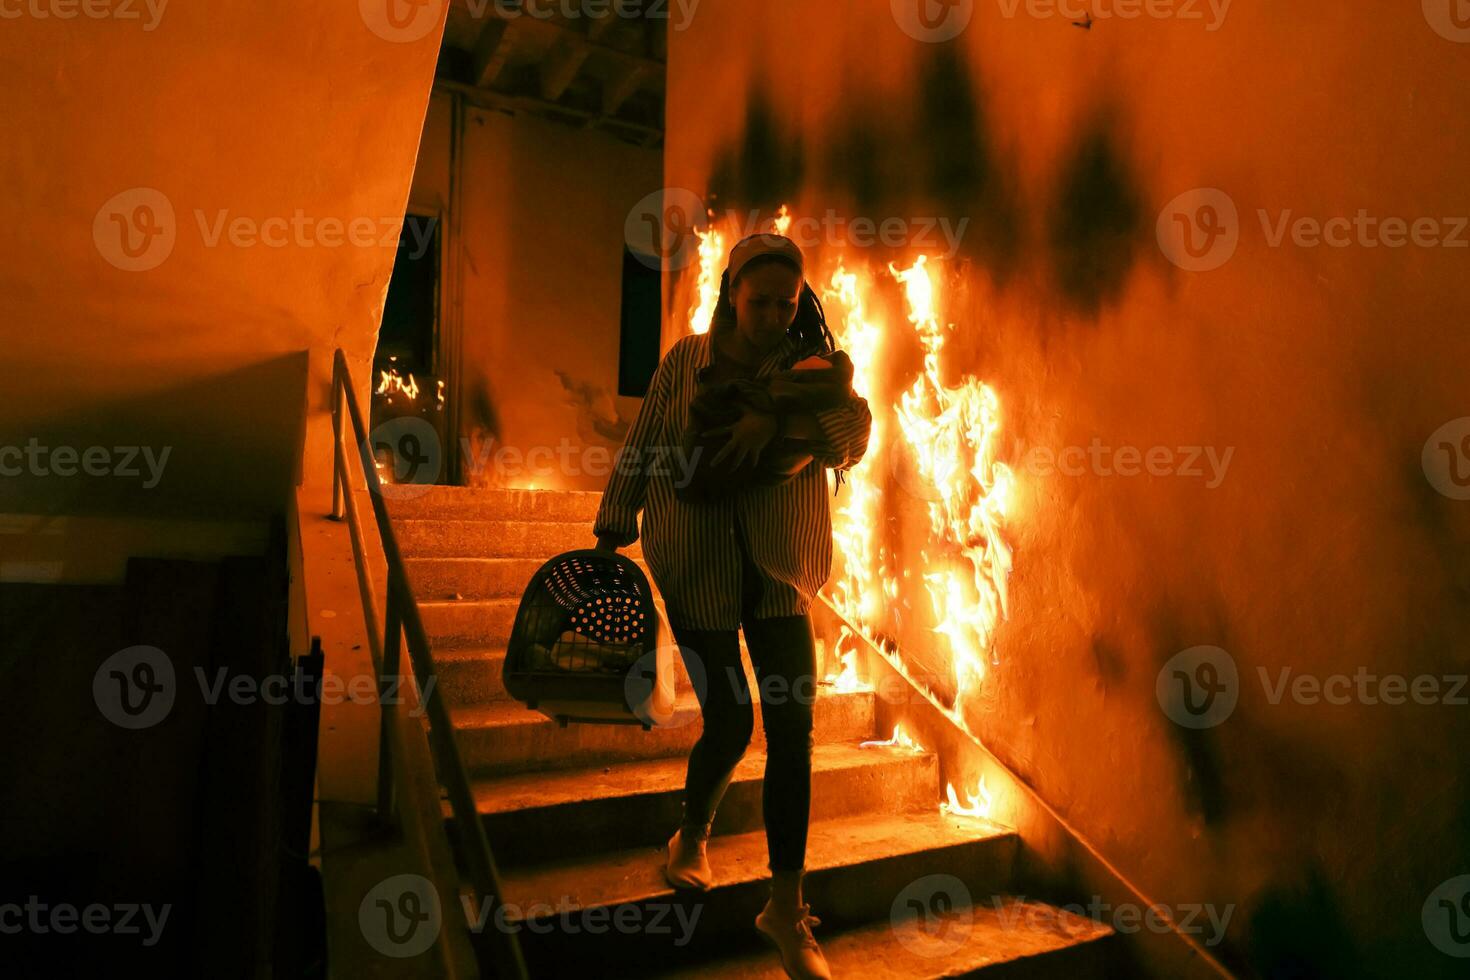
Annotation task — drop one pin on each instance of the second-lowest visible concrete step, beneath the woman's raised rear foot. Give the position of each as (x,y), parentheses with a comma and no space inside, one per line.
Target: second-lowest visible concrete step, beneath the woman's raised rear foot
(617,913)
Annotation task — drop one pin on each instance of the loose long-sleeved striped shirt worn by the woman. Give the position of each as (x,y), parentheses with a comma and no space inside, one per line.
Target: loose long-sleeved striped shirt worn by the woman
(692,549)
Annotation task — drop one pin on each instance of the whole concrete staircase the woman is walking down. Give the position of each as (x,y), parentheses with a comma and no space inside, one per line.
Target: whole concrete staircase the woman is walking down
(578,818)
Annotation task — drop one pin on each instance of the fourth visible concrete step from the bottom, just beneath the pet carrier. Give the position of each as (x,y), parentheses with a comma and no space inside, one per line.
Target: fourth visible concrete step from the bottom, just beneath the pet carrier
(503,738)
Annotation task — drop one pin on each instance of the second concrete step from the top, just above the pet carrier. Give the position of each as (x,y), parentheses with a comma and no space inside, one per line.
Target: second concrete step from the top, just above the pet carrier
(496,538)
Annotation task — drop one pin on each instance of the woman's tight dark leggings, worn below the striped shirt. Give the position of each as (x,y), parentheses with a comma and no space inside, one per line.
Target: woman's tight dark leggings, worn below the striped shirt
(784,657)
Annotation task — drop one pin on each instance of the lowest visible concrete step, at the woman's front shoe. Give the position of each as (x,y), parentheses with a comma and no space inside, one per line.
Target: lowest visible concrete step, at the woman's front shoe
(1000,938)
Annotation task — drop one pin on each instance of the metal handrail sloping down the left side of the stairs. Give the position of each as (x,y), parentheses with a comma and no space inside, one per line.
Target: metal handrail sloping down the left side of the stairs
(404,622)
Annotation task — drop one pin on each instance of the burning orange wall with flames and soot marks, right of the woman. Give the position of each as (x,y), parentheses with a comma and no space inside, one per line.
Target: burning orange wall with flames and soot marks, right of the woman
(1169,411)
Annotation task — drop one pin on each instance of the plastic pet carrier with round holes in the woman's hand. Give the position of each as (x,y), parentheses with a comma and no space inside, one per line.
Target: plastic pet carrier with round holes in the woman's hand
(586,644)
